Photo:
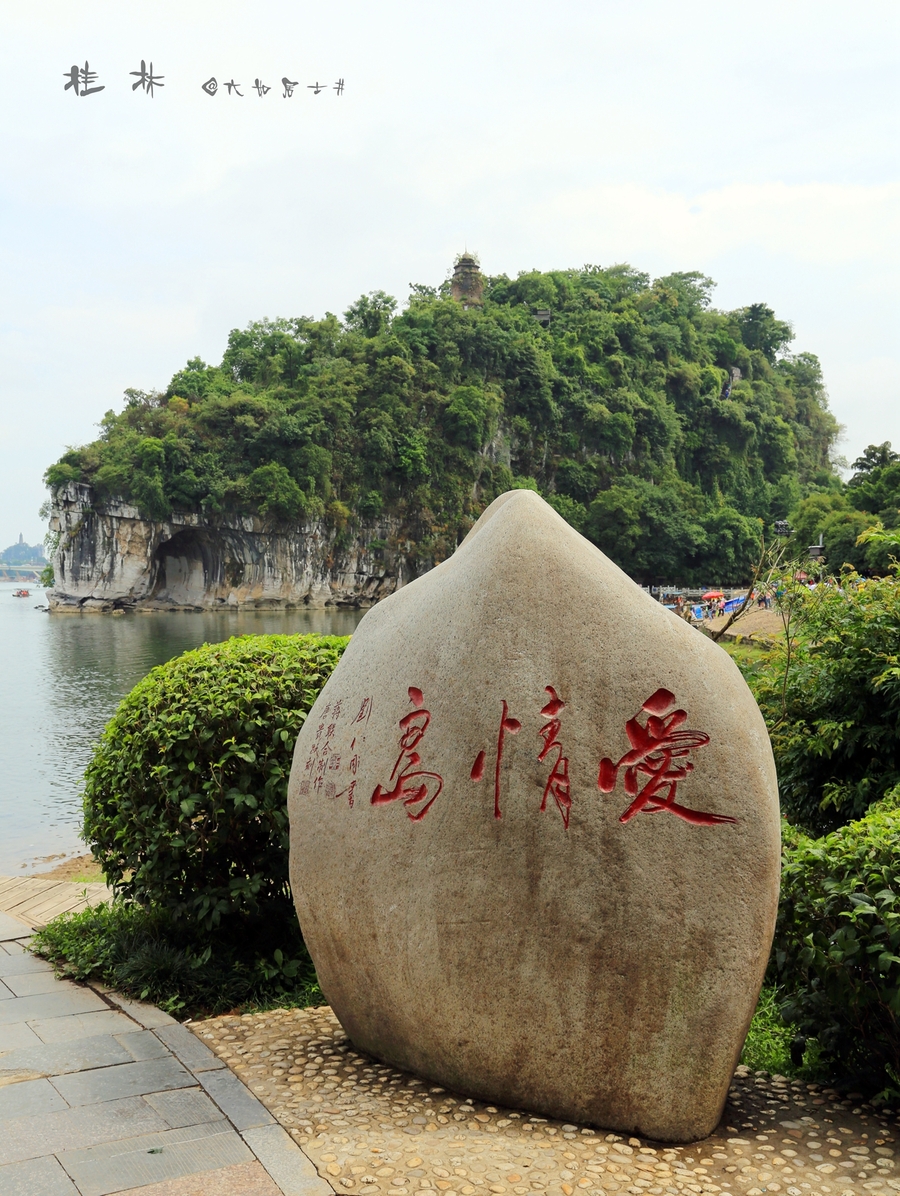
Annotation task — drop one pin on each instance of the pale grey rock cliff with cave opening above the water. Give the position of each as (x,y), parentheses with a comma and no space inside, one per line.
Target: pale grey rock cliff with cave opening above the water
(111,558)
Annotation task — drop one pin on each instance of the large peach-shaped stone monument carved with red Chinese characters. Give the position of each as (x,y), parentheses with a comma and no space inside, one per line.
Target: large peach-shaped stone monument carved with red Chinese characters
(535,837)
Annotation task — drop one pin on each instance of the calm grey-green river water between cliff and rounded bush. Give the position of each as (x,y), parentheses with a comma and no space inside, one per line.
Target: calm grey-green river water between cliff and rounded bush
(62,679)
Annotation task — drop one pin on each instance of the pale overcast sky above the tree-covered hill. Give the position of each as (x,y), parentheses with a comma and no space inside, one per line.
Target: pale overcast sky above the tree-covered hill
(755,143)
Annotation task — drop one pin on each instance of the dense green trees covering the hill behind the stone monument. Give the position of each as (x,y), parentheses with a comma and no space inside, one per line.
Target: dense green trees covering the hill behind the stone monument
(625,411)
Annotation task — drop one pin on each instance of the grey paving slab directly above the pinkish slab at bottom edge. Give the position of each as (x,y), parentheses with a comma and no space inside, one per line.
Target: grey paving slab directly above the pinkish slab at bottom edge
(144,1161)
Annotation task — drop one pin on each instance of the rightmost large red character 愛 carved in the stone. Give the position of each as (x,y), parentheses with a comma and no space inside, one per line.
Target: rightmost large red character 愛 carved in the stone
(659,753)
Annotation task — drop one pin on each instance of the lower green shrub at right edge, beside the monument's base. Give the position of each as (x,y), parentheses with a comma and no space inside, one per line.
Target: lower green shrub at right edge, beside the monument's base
(837,947)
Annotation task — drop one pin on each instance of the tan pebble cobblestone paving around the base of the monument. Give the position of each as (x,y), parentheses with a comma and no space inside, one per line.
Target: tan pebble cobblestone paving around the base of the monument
(372,1131)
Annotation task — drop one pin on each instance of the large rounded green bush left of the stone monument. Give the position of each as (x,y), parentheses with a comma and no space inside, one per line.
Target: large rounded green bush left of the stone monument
(186,797)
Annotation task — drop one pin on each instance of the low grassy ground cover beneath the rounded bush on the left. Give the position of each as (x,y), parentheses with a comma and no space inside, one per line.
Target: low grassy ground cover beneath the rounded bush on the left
(146,955)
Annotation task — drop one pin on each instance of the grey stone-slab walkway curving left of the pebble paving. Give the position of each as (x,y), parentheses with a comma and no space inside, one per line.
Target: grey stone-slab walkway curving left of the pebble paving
(100,1095)
